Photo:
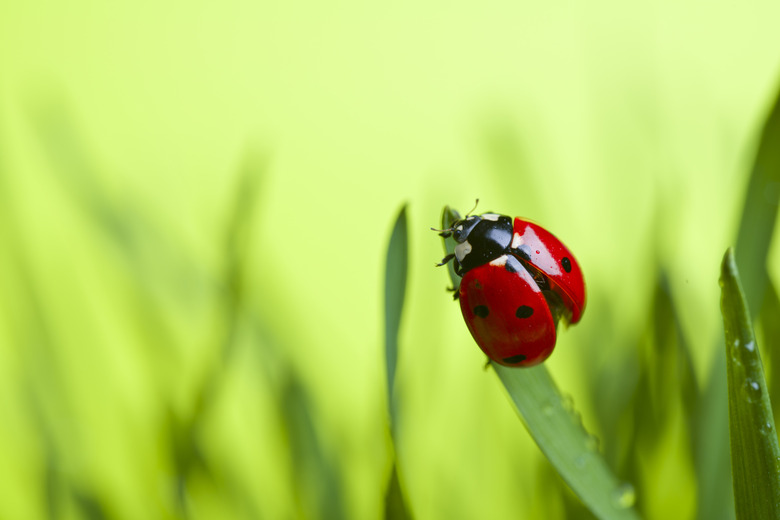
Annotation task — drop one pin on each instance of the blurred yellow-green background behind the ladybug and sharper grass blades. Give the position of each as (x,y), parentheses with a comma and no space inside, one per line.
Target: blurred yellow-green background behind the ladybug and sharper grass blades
(195,204)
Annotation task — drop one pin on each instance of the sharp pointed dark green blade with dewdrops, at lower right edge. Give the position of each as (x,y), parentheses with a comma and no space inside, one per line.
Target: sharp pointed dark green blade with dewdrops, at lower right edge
(755,454)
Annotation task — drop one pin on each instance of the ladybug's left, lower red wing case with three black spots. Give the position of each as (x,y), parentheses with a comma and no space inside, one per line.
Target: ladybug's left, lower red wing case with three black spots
(506,313)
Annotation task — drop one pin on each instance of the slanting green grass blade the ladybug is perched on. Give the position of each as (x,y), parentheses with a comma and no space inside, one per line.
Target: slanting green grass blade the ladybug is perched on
(558,431)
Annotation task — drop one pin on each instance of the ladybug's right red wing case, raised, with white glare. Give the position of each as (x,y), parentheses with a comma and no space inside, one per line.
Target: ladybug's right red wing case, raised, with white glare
(544,252)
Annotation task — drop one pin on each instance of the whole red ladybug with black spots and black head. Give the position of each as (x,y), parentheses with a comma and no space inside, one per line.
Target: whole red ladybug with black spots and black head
(518,281)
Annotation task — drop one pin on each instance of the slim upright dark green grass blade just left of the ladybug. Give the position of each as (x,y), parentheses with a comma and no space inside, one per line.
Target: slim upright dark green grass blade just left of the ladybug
(395,290)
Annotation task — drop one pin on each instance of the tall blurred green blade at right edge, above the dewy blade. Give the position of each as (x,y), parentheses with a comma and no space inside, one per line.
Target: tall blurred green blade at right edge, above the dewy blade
(759,211)
